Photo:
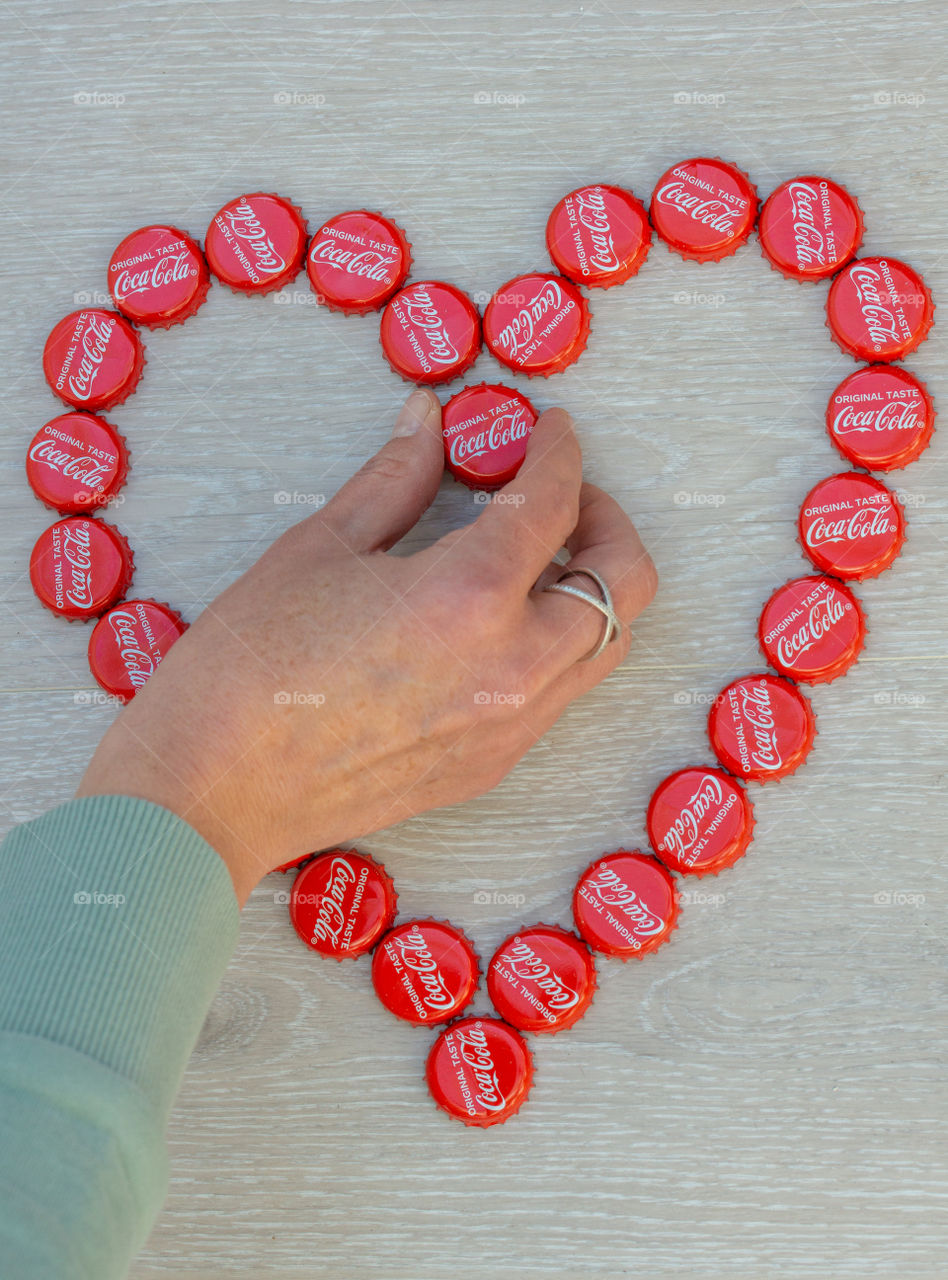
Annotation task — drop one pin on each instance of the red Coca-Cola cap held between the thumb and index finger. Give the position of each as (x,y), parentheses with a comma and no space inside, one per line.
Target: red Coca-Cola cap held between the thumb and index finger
(486,432)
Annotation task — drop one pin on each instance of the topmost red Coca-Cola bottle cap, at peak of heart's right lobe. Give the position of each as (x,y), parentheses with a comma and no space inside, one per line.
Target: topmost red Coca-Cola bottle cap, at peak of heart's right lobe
(704,209)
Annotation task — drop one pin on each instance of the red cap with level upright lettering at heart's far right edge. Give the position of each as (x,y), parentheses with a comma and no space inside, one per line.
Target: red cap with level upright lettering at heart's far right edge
(881,418)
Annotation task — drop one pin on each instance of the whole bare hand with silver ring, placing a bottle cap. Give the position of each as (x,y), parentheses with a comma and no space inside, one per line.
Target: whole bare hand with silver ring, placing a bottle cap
(386,656)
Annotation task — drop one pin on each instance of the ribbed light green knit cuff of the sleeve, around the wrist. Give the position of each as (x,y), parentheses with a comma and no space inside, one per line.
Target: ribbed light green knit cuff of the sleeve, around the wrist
(117,922)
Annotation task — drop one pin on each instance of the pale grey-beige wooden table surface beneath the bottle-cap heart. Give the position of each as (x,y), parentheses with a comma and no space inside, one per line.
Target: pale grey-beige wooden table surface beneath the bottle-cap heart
(766,1096)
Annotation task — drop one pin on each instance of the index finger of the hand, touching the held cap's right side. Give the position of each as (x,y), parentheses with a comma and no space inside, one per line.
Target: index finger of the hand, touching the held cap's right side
(529,520)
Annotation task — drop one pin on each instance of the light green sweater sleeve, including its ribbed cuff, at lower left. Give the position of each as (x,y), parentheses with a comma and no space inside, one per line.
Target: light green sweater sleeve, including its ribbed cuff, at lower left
(117,922)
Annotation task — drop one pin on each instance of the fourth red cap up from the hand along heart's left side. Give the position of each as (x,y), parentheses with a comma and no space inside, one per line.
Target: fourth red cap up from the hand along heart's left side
(94,359)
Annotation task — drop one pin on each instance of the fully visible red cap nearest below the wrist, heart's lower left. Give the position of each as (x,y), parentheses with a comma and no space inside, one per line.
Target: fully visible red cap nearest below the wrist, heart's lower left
(342,903)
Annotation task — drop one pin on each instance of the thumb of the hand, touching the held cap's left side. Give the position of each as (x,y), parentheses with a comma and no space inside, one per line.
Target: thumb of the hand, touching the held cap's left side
(390,493)
